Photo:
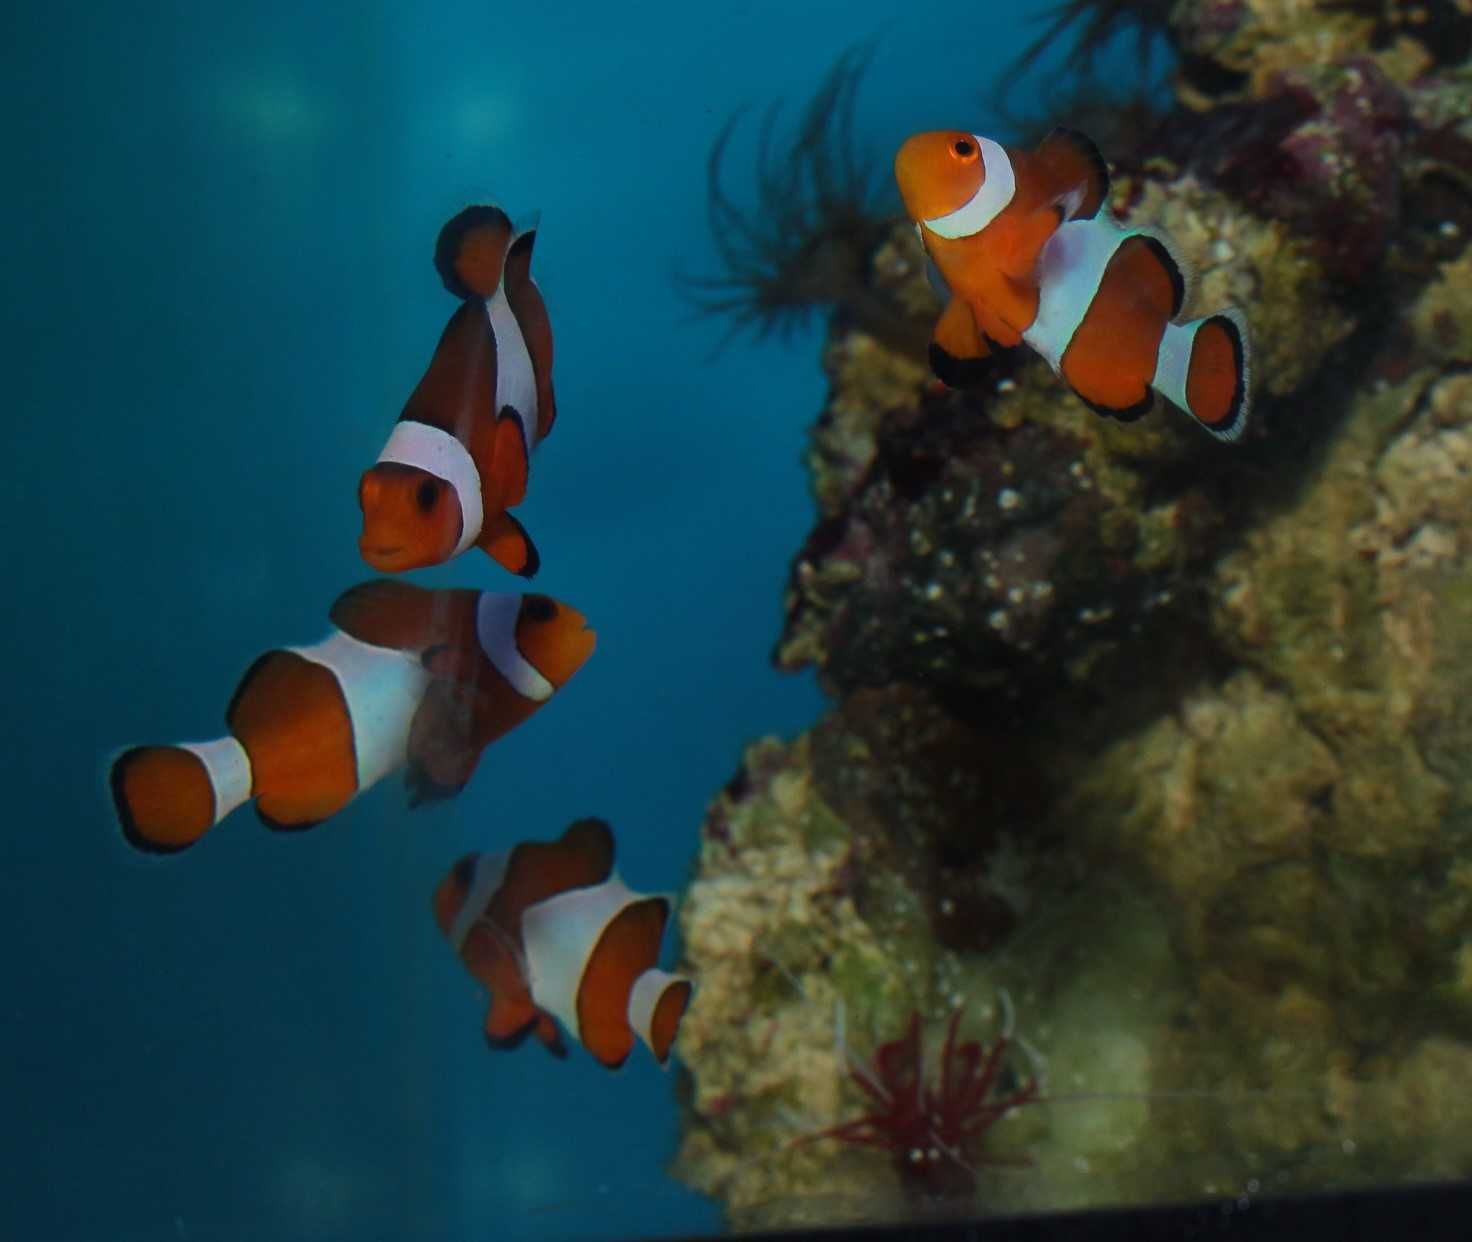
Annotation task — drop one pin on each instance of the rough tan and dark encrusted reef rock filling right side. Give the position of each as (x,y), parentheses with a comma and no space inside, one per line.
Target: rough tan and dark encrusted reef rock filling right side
(1144,753)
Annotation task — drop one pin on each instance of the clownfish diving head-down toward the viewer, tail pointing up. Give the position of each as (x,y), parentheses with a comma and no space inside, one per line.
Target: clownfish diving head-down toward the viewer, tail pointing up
(459,458)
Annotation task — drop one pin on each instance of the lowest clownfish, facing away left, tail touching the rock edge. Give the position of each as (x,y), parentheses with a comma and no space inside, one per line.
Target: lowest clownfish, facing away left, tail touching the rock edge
(551,932)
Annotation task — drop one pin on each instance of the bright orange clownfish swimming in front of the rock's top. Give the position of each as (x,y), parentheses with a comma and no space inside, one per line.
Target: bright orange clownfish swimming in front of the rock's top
(1031,254)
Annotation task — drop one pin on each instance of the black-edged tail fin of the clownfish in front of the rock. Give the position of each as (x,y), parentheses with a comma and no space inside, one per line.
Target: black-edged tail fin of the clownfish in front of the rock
(1205,367)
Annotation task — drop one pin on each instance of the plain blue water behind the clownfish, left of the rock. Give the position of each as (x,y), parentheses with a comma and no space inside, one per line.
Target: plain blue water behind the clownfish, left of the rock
(217,238)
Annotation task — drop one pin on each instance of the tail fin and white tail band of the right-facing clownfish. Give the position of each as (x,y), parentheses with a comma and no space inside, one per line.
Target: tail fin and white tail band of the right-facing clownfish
(169,797)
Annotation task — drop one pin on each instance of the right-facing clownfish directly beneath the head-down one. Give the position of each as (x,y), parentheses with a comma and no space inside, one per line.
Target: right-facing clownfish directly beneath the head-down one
(414,678)
